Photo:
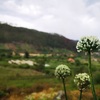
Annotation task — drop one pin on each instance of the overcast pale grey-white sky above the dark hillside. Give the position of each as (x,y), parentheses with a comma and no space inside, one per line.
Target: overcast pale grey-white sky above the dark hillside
(70,18)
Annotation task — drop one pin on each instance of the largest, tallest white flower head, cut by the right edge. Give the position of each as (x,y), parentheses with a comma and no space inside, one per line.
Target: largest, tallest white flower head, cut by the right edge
(89,43)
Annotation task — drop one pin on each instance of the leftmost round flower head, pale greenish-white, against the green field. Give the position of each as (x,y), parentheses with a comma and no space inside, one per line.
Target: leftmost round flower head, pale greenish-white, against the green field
(62,71)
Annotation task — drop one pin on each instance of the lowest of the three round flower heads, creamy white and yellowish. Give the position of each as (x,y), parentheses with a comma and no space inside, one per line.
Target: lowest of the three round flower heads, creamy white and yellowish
(82,80)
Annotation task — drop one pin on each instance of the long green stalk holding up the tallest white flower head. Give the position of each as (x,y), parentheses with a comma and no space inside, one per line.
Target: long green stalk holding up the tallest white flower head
(91,77)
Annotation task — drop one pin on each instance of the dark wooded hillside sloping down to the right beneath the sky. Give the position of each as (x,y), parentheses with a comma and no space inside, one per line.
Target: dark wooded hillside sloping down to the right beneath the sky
(22,38)
